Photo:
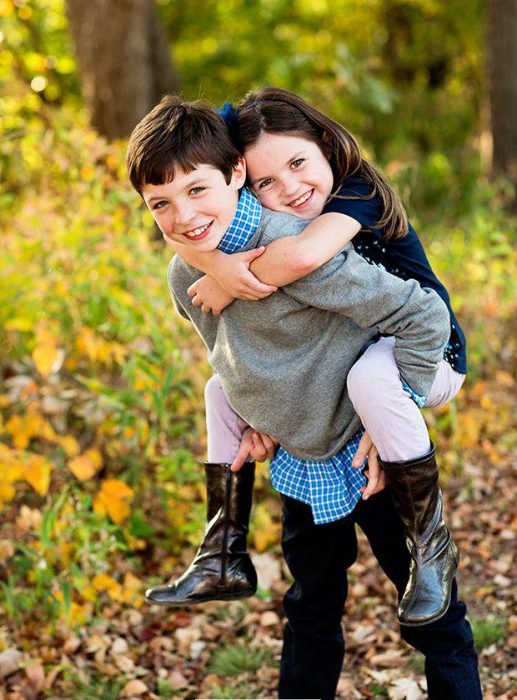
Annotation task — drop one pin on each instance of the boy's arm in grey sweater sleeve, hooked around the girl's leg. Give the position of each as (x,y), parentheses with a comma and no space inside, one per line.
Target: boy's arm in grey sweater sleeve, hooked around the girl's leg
(373,298)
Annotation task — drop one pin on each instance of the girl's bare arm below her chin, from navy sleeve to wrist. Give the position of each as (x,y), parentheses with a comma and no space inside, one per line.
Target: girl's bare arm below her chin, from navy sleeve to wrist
(287,259)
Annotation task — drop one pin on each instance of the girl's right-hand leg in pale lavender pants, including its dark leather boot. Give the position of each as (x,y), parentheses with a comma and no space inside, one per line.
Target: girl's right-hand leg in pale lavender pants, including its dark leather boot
(398,430)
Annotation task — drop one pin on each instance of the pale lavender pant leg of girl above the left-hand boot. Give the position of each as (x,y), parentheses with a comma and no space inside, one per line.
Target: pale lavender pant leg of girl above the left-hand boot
(224,427)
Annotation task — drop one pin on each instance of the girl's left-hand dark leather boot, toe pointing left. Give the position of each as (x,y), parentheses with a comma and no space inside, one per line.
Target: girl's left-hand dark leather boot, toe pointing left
(222,568)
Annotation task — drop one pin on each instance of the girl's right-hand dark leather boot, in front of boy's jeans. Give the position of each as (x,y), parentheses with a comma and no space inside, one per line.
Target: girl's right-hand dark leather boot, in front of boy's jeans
(434,556)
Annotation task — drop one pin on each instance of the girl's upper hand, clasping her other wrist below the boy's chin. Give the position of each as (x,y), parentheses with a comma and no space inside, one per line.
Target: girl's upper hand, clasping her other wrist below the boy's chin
(234,276)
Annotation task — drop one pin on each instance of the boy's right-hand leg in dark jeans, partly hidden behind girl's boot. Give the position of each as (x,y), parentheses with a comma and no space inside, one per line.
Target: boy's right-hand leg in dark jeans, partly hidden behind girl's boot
(451,665)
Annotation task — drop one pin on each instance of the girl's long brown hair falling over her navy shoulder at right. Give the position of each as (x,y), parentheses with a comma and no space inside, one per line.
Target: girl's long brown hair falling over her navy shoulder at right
(277,111)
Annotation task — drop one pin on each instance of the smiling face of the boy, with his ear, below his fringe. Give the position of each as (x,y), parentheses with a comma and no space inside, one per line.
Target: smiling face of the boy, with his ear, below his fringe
(197,207)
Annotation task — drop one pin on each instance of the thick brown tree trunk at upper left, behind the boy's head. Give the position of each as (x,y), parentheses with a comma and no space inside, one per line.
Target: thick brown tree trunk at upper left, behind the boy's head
(123,59)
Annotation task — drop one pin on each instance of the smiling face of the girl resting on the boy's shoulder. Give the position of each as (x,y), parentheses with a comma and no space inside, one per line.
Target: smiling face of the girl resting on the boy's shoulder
(290,174)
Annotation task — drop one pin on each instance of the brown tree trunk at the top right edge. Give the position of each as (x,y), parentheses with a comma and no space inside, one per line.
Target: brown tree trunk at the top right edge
(502,73)
